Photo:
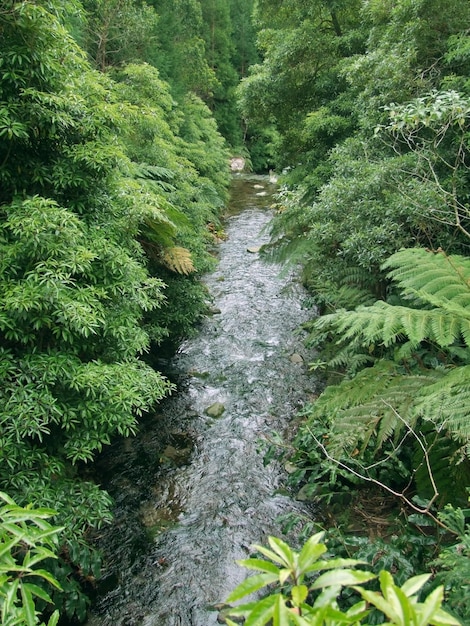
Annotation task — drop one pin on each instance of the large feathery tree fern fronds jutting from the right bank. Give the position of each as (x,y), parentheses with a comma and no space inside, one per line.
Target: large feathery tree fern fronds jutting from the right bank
(381,403)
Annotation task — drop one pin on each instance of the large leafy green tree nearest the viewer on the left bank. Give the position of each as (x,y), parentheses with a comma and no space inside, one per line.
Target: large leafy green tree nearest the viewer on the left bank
(73,281)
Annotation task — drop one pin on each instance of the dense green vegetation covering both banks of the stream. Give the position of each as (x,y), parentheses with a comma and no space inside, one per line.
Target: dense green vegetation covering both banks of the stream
(115,117)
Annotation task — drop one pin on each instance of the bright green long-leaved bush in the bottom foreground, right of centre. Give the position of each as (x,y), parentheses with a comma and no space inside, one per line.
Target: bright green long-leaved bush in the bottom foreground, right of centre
(305,589)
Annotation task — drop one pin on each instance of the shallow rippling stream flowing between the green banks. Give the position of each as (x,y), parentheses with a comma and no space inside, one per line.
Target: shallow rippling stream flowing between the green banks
(188,507)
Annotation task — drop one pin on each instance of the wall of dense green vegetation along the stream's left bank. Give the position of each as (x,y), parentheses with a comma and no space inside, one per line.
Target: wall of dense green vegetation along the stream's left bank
(111,185)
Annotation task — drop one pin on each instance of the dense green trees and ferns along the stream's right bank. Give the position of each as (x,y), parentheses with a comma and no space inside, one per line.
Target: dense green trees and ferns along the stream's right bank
(369,107)
